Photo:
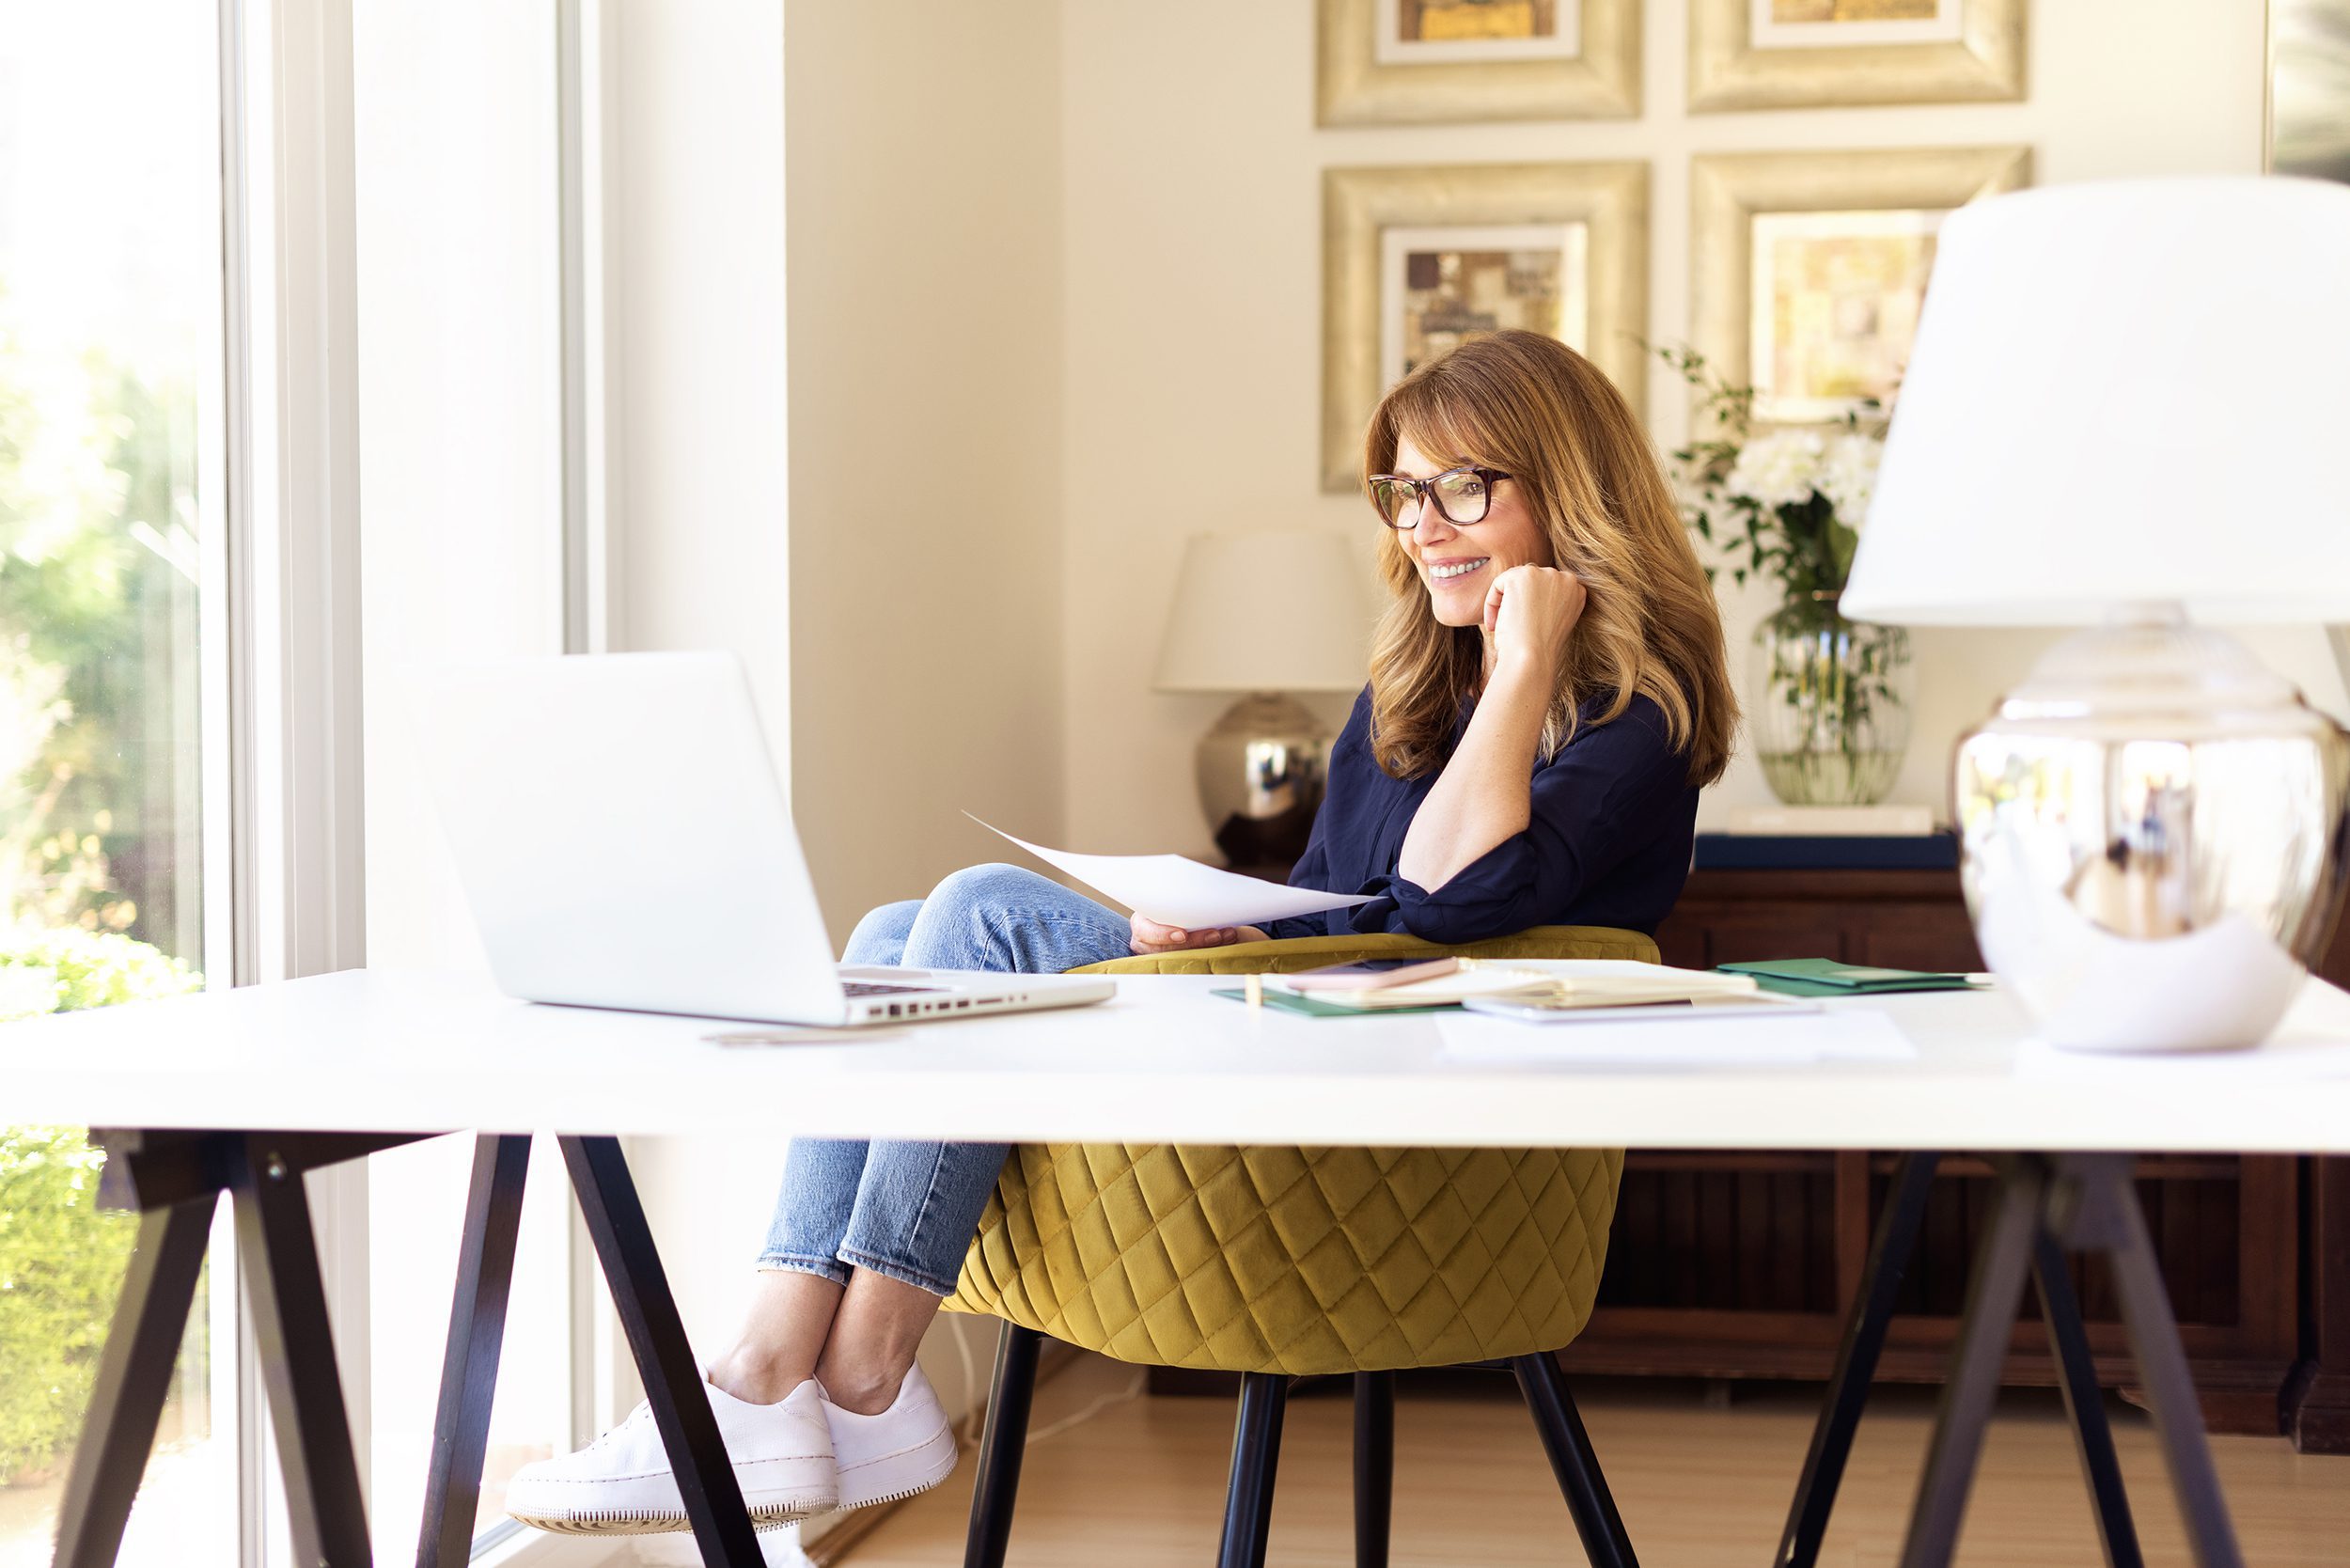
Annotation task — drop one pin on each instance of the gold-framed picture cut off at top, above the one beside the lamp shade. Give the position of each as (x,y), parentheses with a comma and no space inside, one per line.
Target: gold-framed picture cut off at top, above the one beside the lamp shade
(1834,53)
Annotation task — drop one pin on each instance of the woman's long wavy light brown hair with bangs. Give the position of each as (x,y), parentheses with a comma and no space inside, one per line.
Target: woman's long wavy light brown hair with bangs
(1547,417)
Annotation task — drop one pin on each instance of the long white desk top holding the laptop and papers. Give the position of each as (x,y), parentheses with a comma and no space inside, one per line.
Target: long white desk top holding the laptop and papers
(1164,1061)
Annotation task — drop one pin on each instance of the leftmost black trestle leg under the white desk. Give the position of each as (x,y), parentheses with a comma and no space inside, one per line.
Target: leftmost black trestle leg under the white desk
(135,1376)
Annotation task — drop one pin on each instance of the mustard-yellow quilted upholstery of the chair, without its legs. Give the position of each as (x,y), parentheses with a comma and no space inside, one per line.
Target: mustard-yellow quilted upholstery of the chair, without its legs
(1303,1261)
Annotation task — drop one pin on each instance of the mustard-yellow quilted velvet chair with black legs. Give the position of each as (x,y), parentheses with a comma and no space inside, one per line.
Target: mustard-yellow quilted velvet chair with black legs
(1294,1264)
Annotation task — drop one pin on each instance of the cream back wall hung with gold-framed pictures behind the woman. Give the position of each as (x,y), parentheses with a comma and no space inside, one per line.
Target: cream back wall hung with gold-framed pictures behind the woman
(1193,272)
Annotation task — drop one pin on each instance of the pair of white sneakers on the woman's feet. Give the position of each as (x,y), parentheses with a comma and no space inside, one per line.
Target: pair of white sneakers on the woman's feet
(622,1482)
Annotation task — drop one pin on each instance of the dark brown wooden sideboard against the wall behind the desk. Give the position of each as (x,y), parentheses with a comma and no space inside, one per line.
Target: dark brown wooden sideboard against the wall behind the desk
(1743,1266)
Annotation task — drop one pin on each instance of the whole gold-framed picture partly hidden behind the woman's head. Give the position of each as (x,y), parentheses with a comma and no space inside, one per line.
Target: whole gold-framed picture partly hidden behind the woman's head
(1421,260)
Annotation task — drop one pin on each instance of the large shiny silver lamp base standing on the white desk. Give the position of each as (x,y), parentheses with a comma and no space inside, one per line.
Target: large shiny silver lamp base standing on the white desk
(2154,838)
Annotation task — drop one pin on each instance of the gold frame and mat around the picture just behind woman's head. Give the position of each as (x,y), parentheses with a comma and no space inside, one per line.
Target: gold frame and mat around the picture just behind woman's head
(1599,208)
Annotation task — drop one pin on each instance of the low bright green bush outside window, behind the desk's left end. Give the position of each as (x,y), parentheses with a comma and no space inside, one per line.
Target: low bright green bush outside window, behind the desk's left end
(62,1259)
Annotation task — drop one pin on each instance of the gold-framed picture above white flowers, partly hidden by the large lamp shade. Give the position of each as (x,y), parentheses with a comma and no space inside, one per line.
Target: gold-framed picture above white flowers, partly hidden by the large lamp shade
(1808,269)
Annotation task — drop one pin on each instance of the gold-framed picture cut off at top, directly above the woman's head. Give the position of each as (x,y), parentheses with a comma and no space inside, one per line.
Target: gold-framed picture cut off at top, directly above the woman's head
(1414,62)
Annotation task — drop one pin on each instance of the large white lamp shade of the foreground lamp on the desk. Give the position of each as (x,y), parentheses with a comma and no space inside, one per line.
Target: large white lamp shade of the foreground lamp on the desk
(2123,394)
